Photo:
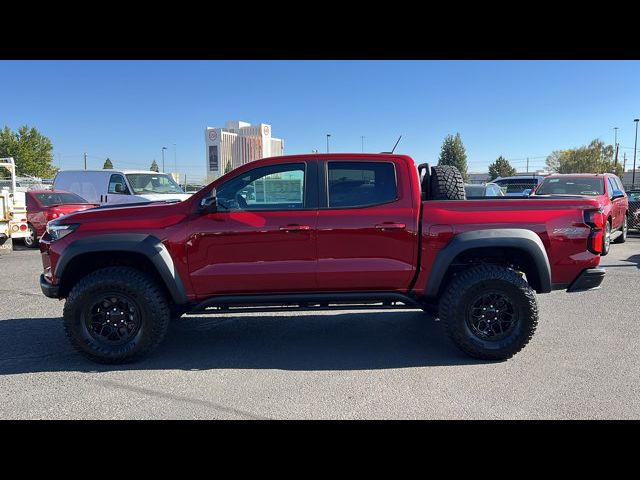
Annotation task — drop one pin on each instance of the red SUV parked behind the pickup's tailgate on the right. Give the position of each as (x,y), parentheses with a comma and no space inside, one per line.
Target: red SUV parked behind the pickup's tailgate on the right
(606,188)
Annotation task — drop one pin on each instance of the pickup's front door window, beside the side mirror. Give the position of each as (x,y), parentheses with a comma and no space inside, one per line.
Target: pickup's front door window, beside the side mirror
(276,187)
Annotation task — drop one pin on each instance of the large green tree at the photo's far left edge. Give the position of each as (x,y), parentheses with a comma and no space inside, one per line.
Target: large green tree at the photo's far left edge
(32,151)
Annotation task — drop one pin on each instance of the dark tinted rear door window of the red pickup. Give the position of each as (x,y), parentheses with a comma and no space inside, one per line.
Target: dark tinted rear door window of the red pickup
(356,184)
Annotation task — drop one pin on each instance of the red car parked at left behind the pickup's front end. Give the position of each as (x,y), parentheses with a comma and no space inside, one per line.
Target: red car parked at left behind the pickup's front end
(46,205)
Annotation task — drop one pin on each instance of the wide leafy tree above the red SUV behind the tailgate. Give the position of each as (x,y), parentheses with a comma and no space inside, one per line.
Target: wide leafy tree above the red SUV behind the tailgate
(594,158)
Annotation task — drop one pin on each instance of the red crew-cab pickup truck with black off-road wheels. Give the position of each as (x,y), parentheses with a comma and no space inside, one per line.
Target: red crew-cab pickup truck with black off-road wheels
(320,232)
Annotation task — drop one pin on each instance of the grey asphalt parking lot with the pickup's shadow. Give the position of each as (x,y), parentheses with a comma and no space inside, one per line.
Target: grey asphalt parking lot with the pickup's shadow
(583,362)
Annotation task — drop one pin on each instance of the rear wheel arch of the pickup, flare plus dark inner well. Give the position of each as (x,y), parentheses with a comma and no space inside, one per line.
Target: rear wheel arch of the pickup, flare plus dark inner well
(503,246)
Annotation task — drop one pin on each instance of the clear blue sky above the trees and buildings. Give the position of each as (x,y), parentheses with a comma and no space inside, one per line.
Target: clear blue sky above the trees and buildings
(128,110)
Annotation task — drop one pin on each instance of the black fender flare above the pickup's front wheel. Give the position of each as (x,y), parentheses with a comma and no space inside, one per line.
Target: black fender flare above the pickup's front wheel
(148,245)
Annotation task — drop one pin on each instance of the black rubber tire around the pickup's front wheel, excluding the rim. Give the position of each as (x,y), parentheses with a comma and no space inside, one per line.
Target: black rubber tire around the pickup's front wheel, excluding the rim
(148,297)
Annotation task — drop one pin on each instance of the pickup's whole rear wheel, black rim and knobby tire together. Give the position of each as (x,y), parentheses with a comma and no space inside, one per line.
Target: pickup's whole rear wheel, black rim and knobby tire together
(489,312)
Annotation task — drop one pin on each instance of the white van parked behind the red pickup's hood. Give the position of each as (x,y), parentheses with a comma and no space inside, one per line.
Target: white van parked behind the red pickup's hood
(119,186)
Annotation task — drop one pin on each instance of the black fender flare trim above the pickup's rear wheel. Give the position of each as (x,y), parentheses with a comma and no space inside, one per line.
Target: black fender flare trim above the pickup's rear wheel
(518,238)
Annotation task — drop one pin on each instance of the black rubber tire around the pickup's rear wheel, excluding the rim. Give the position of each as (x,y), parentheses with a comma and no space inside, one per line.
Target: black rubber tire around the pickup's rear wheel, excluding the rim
(456,305)
